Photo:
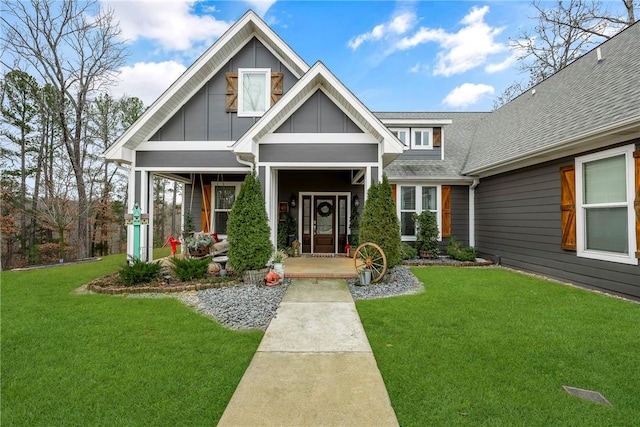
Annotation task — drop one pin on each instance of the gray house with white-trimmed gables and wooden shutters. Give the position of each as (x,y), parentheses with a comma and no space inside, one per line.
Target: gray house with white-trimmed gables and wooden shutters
(546,183)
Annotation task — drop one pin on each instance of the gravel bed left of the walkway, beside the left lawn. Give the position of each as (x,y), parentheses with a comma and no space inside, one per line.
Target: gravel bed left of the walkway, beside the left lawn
(237,307)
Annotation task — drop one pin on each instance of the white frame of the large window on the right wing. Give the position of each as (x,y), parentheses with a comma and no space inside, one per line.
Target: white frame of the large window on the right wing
(582,251)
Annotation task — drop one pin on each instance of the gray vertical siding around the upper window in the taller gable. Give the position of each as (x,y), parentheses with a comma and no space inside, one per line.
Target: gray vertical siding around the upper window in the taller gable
(203,117)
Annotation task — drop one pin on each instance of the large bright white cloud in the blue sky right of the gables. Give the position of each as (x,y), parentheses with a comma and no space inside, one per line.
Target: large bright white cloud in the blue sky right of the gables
(463,50)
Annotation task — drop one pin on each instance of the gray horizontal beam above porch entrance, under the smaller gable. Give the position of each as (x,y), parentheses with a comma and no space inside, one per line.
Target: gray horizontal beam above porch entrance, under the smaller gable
(314,153)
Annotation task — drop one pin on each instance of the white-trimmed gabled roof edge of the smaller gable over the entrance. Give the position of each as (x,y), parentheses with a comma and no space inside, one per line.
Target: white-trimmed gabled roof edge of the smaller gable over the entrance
(320,78)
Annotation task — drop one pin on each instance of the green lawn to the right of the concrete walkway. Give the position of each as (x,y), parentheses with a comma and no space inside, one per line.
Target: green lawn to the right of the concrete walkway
(492,347)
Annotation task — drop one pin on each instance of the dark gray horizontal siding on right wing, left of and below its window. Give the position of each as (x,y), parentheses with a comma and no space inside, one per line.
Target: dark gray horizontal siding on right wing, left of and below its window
(518,223)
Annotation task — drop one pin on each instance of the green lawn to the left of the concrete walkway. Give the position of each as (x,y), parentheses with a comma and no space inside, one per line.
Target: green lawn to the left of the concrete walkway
(70,359)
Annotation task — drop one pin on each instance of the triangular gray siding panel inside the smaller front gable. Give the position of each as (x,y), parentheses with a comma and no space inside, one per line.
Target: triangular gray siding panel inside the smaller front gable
(319,115)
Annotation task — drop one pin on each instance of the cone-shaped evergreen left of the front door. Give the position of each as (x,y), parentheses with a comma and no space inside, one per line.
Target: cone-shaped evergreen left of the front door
(248,229)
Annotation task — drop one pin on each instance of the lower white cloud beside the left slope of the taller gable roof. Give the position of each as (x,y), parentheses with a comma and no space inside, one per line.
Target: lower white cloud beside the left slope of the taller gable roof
(147,80)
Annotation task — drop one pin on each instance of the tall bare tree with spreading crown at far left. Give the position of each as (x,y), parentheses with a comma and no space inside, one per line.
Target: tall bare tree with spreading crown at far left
(75,48)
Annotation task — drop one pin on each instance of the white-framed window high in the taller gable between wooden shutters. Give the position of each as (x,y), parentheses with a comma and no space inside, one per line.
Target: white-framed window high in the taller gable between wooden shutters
(254,91)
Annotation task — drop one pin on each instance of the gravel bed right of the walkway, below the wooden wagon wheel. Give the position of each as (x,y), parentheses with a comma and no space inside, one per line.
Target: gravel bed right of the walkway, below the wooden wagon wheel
(398,281)
